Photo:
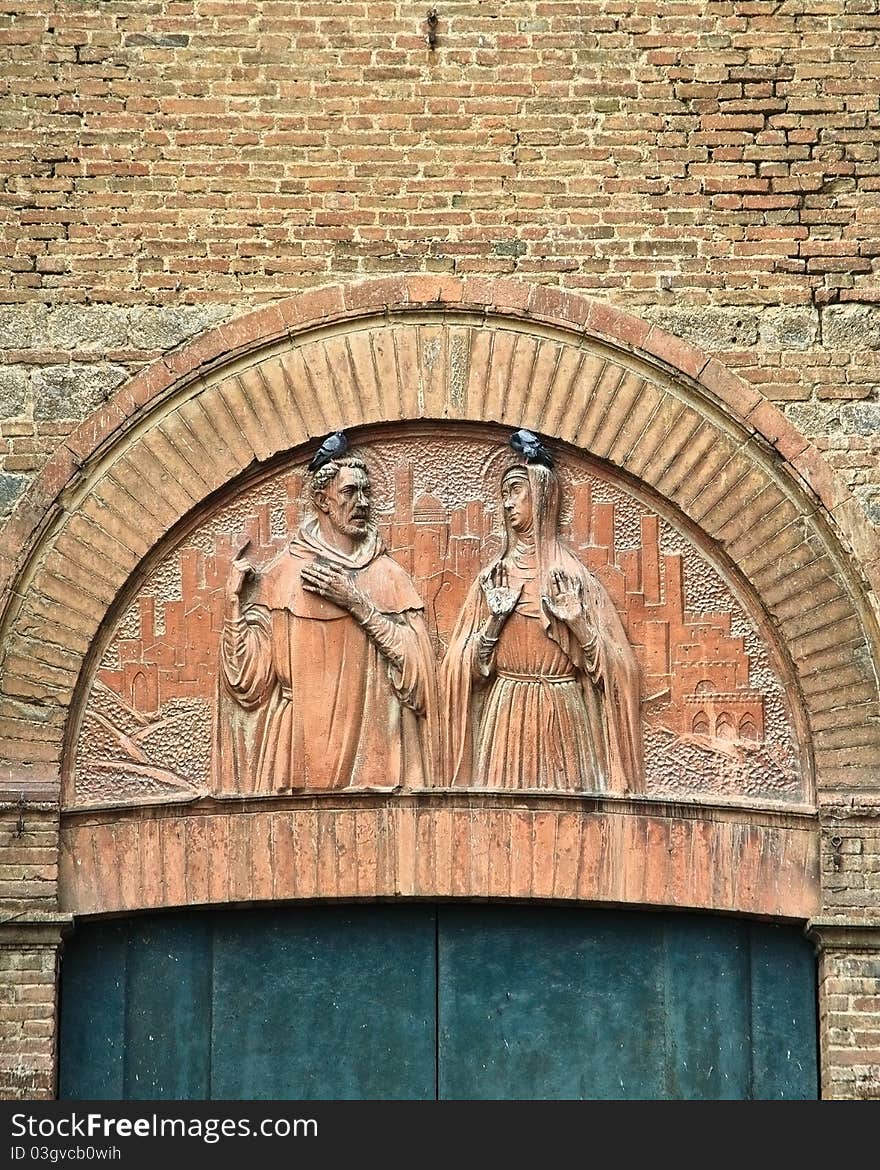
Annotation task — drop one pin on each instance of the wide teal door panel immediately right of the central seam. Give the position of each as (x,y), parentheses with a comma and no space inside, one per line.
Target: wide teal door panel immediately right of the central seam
(538,1004)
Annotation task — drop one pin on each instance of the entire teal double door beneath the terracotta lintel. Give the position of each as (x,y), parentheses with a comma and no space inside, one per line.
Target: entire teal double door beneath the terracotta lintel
(422,1002)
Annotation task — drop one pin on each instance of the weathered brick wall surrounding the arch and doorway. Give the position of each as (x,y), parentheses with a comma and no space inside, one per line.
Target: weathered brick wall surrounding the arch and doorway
(711,168)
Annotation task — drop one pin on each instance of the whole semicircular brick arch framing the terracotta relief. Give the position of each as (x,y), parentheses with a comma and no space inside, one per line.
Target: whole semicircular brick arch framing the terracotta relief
(610,384)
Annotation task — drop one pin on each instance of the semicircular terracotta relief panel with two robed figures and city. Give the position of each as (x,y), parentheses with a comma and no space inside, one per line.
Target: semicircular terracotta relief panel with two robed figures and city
(403,627)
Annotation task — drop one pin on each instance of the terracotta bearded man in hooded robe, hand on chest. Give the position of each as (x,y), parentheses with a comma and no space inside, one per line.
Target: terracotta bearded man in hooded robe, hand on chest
(333,653)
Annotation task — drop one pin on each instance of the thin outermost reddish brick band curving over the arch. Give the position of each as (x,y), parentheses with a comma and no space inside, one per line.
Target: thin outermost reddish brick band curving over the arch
(334,304)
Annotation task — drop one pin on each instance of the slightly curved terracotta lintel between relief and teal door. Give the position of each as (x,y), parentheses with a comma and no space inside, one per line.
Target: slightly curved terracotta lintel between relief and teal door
(439,846)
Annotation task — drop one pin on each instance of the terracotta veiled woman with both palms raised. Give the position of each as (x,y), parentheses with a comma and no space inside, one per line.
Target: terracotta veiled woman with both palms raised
(541,686)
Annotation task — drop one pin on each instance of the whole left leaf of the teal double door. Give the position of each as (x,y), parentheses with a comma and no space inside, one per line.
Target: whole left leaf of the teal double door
(331,1003)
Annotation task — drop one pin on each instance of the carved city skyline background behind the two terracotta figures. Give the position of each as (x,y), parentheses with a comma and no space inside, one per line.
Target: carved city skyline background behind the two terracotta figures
(717,719)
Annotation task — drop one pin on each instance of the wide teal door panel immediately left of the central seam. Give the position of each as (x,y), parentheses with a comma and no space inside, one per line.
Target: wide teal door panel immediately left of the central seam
(326,1004)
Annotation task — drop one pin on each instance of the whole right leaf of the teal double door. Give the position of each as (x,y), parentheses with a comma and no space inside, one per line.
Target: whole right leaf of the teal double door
(565,1004)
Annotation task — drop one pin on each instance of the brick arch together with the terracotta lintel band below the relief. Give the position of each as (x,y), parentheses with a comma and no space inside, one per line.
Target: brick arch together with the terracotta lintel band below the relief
(663,415)
